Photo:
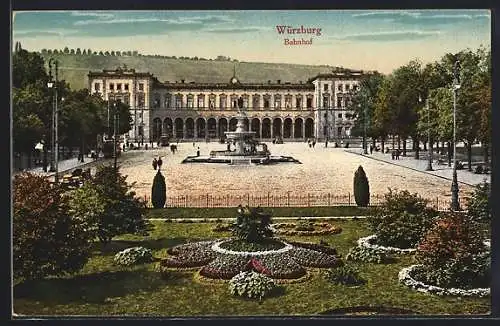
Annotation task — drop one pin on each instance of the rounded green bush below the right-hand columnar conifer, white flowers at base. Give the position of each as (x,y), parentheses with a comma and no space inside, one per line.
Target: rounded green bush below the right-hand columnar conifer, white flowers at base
(402,219)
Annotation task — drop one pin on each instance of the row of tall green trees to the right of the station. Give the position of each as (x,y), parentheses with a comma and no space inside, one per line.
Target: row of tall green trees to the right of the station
(395,108)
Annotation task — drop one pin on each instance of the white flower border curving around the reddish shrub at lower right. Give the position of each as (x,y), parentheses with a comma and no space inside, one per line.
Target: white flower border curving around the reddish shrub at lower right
(405,276)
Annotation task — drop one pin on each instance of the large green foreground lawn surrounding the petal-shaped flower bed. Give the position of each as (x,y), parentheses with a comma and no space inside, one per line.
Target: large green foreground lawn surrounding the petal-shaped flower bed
(104,289)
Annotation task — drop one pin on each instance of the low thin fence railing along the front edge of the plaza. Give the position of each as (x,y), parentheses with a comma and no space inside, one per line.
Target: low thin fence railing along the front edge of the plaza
(280,200)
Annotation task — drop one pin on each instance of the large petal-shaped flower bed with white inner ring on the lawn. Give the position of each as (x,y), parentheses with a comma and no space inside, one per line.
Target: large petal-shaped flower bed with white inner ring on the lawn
(288,262)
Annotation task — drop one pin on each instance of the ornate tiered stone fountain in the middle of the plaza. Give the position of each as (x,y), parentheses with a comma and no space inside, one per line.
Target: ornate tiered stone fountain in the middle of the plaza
(242,148)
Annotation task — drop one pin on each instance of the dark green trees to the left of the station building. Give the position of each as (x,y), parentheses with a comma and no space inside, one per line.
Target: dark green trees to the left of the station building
(81,116)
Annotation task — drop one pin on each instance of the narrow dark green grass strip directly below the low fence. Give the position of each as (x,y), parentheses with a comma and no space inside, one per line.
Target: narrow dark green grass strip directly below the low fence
(275,211)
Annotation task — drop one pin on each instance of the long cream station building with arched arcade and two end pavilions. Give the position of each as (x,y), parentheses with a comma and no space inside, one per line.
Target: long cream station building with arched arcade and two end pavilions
(316,108)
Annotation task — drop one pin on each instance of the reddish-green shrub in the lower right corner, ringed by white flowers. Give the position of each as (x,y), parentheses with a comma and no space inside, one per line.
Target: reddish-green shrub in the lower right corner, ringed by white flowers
(453,254)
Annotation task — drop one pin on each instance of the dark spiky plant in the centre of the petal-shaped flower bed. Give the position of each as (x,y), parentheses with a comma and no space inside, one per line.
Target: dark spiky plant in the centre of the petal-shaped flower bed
(252,224)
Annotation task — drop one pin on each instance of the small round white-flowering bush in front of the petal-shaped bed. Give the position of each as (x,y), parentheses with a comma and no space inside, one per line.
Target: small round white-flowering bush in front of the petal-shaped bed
(251,285)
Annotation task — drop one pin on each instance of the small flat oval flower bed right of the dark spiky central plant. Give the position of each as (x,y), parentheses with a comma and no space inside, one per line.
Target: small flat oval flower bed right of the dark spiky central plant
(305,228)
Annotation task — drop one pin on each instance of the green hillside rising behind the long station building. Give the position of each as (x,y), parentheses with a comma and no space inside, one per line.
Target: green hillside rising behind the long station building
(74,69)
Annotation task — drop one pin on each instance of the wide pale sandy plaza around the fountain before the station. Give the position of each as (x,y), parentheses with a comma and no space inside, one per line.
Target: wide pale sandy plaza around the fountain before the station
(323,170)
